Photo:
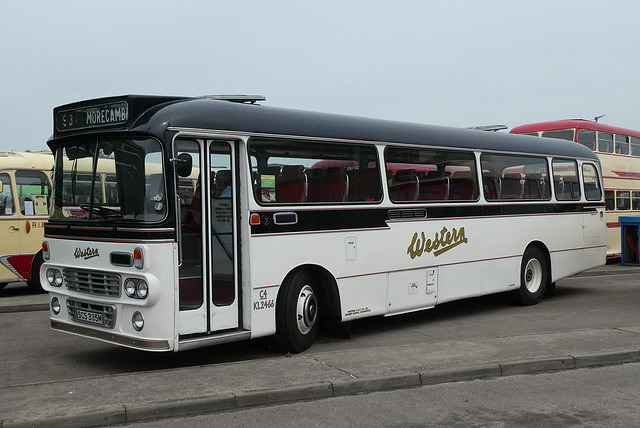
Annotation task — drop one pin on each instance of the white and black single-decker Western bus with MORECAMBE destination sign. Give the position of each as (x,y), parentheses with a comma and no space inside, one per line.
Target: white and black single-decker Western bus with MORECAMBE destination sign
(230,220)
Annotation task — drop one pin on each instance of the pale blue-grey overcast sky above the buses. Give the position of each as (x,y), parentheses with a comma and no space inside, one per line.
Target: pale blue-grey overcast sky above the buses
(449,62)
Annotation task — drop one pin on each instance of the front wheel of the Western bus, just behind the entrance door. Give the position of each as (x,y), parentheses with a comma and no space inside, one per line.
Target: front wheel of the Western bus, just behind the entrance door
(297,312)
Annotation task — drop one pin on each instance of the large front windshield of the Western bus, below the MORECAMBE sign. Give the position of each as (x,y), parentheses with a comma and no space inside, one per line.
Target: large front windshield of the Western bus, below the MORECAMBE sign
(109,179)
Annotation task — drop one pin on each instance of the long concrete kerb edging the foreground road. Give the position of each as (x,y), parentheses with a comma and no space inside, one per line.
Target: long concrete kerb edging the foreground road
(120,414)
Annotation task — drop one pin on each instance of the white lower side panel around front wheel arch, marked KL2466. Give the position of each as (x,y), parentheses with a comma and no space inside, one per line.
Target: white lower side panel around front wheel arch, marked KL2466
(357,260)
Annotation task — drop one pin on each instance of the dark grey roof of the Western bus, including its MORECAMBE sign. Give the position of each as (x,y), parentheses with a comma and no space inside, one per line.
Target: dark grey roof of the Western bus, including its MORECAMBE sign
(156,115)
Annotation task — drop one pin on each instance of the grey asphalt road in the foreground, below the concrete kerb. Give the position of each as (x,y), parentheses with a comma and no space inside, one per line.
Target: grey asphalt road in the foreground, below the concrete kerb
(596,397)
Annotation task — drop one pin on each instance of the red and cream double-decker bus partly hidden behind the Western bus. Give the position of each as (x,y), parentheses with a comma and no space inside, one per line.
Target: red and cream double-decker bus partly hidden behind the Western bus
(619,153)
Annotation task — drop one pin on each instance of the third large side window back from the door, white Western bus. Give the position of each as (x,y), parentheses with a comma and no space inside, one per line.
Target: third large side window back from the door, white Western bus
(507,177)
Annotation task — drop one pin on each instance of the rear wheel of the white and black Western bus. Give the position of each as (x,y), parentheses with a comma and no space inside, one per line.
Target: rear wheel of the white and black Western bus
(534,277)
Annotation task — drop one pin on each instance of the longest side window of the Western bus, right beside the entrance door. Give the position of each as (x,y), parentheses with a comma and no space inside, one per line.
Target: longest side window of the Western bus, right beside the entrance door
(293,172)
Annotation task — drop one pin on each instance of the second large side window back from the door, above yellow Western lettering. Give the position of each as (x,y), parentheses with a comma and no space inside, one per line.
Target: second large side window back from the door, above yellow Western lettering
(431,175)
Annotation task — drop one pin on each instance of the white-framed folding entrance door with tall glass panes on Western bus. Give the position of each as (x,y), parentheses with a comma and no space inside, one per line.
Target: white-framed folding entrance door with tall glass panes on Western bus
(207,274)
